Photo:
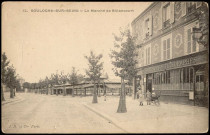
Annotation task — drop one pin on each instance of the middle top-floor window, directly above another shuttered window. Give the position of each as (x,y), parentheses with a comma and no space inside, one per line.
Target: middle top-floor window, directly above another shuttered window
(166,15)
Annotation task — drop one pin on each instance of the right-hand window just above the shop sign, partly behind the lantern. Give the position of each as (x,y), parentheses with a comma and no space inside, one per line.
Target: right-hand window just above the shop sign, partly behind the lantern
(191,43)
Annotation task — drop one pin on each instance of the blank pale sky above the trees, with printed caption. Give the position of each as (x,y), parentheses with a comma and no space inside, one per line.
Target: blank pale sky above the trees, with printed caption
(40,43)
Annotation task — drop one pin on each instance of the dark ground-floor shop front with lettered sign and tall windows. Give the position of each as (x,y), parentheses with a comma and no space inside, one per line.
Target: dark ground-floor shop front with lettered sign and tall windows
(182,80)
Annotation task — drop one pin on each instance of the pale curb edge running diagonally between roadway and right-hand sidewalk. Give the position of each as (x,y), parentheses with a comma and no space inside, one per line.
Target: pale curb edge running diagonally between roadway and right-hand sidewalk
(105,117)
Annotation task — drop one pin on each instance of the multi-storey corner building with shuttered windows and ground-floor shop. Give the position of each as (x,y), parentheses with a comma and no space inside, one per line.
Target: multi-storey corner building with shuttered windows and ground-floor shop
(170,61)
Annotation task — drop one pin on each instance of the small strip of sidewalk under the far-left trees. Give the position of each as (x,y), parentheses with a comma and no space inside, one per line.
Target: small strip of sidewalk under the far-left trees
(17,98)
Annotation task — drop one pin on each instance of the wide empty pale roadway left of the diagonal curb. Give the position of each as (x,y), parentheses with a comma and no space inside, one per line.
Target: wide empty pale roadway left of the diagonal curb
(53,114)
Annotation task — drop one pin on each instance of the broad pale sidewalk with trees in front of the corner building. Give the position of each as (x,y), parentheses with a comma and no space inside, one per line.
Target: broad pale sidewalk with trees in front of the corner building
(166,118)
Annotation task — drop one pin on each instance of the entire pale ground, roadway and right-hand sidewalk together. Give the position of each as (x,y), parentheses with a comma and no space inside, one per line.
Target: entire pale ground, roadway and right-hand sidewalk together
(52,114)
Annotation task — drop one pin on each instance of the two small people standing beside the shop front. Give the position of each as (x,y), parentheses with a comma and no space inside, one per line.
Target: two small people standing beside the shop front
(140,95)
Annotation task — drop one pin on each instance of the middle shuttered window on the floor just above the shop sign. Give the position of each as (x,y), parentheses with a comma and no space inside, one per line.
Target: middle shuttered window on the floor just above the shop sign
(166,49)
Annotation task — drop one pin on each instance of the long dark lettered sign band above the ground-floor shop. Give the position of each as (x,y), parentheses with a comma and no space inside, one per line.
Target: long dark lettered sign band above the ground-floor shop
(175,64)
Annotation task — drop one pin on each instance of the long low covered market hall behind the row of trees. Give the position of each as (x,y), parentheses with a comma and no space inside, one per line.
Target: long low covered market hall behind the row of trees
(108,87)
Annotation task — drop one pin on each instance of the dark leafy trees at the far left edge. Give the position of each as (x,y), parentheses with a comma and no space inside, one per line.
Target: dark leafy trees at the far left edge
(8,77)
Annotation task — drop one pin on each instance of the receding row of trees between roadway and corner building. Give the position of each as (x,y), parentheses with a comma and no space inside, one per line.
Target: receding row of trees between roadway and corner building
(123,59)
